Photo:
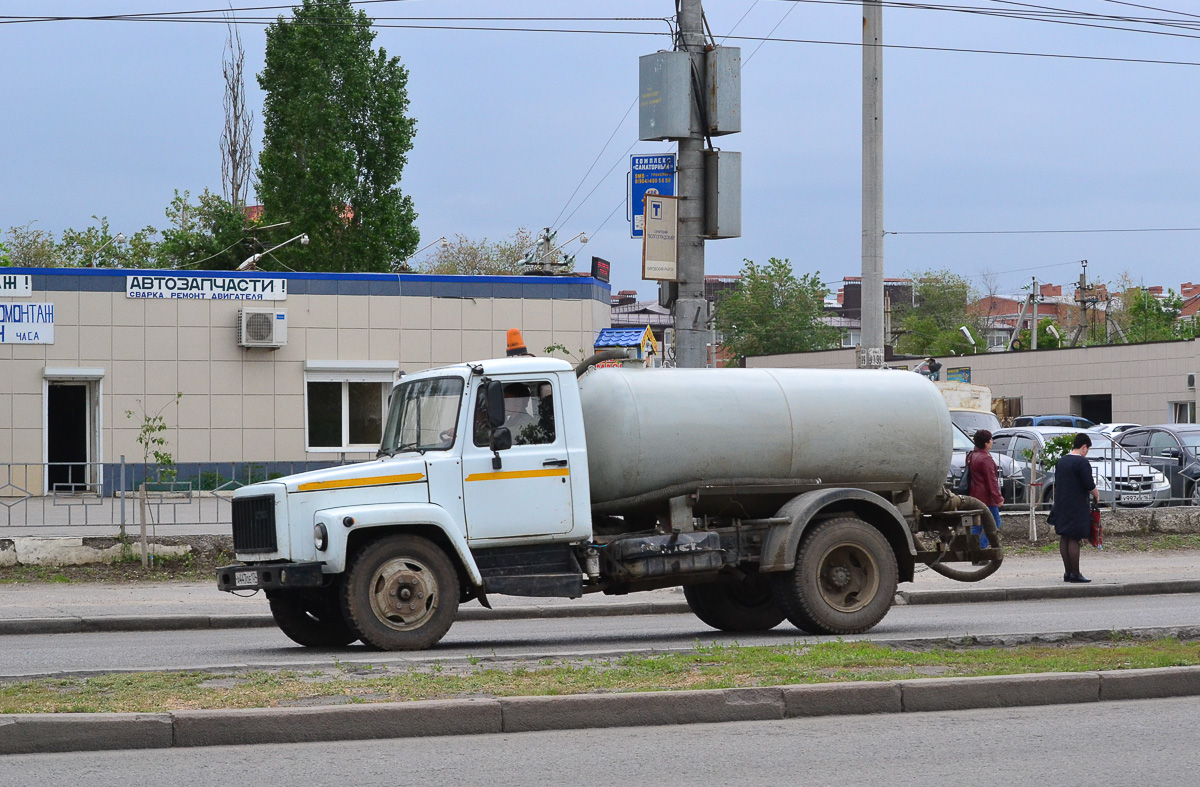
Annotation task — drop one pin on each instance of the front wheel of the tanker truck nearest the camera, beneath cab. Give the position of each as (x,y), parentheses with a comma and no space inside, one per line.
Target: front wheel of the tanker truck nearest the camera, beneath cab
(401,593)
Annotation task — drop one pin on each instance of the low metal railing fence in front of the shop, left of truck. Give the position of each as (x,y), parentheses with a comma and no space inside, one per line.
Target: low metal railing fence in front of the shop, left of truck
(61,495)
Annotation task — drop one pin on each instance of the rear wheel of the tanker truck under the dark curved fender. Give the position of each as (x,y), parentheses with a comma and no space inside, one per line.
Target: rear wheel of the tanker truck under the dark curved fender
(844,581)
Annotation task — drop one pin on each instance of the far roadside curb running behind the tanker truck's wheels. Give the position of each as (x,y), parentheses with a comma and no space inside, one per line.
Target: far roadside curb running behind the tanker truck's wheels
(904,598)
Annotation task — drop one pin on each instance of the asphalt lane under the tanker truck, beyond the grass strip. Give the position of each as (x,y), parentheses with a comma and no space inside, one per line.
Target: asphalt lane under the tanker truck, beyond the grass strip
(532,639)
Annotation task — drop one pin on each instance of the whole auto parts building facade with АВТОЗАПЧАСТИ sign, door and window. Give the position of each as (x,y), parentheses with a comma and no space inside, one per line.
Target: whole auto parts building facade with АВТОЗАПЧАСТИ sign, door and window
(245,367)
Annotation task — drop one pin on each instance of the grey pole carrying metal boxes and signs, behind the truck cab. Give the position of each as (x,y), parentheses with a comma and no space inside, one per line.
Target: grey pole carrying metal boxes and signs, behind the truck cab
(691,310)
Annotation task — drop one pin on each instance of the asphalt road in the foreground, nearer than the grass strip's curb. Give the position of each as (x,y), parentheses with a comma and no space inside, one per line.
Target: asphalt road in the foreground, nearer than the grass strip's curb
(1136,743)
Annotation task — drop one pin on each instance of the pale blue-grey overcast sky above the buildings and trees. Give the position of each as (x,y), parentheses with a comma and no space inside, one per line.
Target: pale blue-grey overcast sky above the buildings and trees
(518,129)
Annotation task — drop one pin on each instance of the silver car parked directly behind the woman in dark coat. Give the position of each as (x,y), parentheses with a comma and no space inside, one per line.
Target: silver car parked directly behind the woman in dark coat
(1123,480)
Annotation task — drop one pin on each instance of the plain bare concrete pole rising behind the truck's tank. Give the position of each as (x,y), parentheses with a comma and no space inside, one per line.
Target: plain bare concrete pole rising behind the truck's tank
(873,339)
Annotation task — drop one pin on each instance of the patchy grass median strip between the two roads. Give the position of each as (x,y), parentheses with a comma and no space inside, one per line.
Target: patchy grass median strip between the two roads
(706,668)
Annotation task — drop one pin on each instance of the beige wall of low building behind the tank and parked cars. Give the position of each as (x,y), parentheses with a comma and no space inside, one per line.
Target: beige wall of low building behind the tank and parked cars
(1143,380)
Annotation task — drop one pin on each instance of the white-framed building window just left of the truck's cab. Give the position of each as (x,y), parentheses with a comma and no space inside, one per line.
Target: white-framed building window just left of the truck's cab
(345,405)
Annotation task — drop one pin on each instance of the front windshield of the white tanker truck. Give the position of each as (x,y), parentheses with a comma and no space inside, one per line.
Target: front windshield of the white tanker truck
(423,416)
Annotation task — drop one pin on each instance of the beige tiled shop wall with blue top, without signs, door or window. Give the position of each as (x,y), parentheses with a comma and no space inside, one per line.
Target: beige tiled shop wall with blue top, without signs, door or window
(249,405)
